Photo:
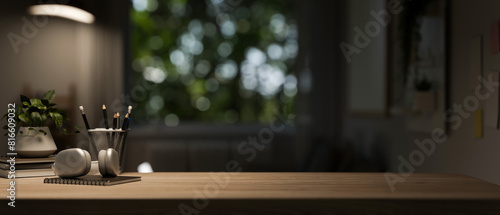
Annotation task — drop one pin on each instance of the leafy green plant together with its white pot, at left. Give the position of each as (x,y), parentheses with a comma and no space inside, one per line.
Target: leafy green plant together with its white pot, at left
(32,117)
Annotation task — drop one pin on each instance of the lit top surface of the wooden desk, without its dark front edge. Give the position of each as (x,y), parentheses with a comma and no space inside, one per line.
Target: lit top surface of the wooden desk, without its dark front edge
(293,188)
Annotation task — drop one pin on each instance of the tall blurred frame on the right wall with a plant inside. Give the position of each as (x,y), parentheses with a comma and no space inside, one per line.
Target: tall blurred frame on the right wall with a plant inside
(418,82)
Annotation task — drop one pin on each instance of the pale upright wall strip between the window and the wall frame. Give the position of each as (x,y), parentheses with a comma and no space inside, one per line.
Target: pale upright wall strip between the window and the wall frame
(366,88)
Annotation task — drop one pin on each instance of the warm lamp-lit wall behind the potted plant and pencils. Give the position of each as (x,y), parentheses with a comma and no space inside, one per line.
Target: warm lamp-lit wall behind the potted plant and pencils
(60,53)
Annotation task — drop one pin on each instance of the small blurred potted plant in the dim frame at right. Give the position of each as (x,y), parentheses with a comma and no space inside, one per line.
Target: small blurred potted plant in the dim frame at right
(423,98)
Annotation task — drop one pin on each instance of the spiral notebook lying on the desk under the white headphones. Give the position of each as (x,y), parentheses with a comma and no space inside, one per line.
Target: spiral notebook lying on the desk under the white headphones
(95,180)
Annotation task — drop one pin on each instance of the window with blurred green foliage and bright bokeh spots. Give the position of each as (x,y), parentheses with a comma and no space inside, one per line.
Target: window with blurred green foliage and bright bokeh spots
(218,61)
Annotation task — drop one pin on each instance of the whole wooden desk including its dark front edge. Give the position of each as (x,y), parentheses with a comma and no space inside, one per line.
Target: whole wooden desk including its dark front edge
(262,193)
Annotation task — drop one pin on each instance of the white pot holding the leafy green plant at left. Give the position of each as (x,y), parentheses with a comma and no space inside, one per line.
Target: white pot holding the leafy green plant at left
(34,143)
